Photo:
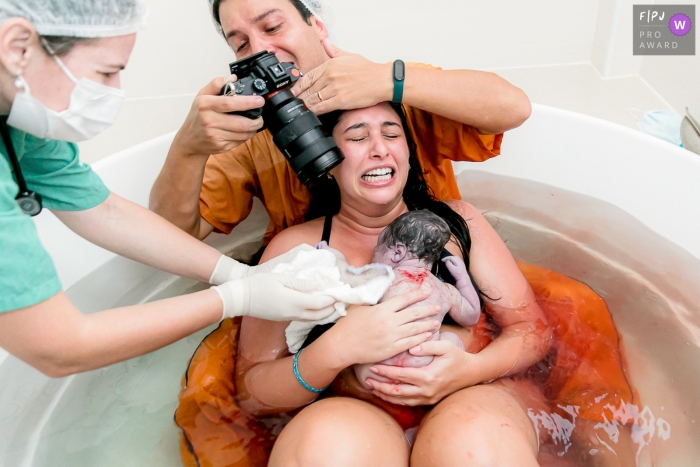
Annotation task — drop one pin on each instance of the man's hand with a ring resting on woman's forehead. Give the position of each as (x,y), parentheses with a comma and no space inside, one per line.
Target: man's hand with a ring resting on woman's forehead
(346,81)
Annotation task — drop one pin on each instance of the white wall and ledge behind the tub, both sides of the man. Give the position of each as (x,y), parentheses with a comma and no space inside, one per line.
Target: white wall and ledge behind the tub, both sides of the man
(550,48)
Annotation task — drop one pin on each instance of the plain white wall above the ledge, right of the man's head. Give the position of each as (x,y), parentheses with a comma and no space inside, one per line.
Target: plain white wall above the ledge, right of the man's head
(467,33)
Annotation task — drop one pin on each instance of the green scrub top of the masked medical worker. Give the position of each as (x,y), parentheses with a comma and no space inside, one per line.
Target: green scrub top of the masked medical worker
(52,169)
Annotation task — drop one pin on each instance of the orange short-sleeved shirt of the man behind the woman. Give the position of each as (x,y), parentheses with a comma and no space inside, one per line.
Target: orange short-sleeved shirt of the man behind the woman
(258,169)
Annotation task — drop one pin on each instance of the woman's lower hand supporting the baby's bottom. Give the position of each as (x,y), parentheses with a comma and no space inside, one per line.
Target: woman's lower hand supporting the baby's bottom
(452,369)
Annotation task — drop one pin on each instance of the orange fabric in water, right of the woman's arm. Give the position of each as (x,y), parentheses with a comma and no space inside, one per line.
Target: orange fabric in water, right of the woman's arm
(586,363)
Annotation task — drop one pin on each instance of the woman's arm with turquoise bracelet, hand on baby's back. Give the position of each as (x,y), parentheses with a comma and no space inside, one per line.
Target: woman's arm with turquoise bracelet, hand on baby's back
(265,378)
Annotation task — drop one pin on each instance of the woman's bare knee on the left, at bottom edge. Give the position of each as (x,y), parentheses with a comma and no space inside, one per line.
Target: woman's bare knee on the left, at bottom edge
(341,432)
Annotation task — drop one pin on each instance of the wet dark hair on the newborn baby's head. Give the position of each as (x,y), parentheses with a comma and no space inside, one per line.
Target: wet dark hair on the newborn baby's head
(423,233)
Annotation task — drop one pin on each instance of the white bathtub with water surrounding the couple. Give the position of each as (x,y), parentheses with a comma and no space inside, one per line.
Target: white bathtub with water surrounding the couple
(596,201)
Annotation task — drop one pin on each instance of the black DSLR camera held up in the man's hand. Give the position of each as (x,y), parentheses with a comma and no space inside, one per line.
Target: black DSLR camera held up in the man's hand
(296,130)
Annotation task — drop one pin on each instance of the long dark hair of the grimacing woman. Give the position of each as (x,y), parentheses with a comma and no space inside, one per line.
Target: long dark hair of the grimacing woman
(325,193)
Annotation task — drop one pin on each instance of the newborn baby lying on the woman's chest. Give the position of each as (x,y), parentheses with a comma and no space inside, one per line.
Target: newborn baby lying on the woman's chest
(411,245)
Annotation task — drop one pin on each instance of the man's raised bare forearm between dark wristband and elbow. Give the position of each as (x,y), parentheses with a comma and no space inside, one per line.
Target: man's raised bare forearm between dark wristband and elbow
(480,99)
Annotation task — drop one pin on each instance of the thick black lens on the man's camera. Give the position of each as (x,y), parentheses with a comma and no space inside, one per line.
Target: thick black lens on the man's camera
(297,132)
